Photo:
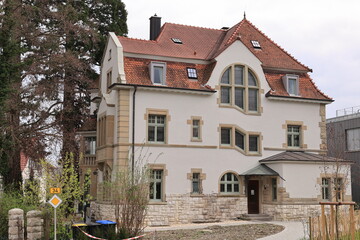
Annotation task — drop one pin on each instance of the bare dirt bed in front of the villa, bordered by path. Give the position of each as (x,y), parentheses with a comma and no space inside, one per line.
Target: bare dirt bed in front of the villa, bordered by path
(240,232)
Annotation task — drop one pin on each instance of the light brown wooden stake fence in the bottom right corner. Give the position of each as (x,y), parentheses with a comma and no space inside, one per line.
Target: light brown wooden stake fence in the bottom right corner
(341,222)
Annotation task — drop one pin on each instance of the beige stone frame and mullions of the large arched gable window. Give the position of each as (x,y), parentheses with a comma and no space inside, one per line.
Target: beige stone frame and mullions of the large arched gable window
(232,87)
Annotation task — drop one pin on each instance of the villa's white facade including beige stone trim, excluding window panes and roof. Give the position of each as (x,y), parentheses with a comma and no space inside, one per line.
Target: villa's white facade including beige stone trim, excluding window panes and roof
(179,154)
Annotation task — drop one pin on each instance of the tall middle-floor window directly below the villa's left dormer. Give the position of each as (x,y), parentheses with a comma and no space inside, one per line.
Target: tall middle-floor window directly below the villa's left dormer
(156,128)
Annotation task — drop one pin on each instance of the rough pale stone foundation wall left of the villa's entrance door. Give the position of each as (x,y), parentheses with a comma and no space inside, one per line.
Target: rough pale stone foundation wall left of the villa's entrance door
(184,209)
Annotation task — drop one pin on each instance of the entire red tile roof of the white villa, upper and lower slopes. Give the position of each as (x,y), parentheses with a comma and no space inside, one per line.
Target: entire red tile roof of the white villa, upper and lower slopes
(205,44)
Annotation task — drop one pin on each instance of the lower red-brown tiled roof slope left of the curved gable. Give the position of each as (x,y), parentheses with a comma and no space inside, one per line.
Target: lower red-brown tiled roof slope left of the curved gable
(137,72)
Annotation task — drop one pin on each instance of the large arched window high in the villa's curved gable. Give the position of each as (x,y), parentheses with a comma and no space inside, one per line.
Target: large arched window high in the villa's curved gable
(240,88)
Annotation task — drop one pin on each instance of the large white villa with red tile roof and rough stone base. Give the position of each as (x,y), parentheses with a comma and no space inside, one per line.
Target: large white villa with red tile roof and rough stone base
(233,122)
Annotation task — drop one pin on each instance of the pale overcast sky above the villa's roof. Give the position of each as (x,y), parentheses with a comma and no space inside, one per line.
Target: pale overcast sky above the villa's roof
(322,34)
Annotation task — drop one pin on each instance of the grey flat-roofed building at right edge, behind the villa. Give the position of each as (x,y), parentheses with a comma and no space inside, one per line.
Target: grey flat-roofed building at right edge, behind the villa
(343,137)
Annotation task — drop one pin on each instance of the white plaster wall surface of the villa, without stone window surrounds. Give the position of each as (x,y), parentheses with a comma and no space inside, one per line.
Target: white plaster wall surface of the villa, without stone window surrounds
(215,162)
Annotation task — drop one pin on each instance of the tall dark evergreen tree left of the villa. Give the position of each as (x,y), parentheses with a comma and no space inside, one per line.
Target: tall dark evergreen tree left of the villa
(48,50)
